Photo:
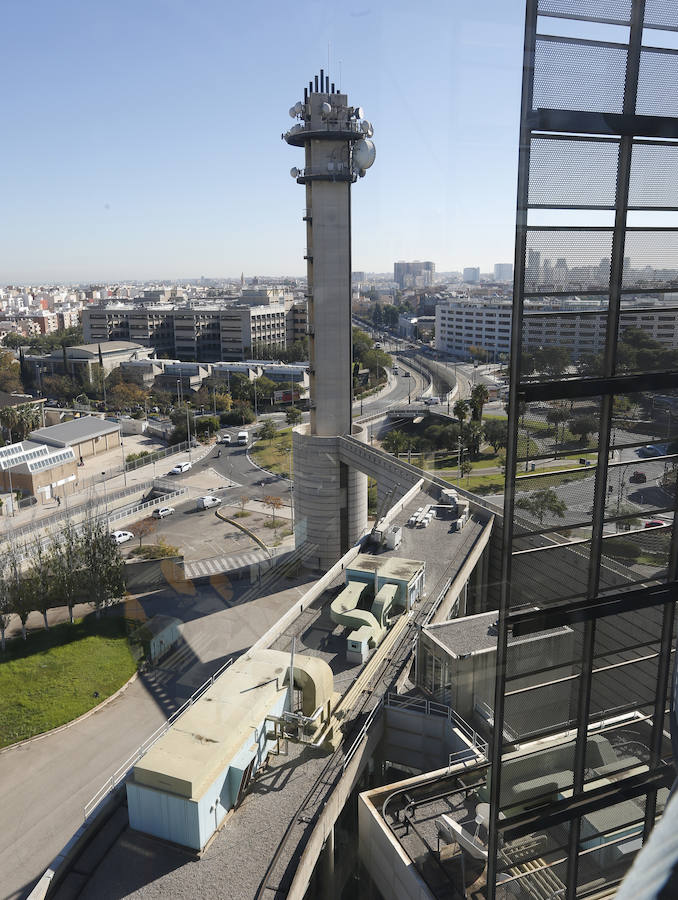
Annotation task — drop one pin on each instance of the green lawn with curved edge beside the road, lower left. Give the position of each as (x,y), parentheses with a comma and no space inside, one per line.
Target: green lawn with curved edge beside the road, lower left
(51,678)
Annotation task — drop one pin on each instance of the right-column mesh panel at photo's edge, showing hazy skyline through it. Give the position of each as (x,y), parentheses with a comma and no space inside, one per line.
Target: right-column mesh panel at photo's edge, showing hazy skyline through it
(651,259)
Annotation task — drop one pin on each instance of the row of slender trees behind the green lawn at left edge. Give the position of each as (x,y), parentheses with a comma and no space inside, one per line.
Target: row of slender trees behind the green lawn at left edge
(76,565)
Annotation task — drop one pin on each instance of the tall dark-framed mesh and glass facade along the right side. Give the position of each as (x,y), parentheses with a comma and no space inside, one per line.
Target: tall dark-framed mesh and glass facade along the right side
(580,757)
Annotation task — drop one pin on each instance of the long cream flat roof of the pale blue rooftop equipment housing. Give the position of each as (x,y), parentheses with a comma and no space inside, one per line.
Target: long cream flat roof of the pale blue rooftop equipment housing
(207,737)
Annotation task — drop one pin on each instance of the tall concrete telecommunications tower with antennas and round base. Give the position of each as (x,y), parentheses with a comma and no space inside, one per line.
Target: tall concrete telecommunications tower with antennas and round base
(330,496)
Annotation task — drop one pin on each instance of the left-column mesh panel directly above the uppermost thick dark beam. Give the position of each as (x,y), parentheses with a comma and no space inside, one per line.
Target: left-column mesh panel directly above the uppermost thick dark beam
(569,75)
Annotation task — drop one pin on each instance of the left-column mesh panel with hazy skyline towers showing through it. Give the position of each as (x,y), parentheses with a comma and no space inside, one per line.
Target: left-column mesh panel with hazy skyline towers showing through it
(567,260)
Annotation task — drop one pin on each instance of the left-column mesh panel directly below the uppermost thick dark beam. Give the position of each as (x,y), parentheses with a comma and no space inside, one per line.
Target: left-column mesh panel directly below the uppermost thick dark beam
(574,173)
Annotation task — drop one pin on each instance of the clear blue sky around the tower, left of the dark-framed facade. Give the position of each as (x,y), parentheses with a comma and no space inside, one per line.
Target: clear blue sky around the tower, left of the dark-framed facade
(141,138)
